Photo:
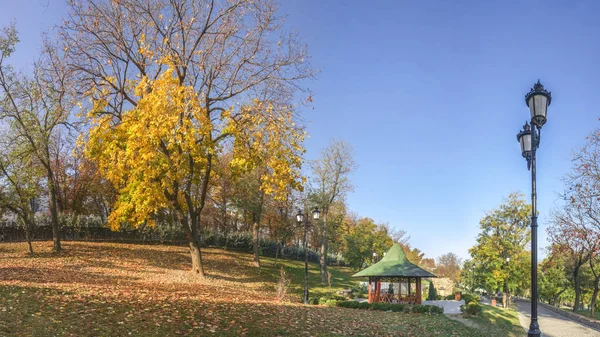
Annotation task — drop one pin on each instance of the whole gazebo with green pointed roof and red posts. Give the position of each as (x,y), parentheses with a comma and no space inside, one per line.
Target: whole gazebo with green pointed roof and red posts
(400,278)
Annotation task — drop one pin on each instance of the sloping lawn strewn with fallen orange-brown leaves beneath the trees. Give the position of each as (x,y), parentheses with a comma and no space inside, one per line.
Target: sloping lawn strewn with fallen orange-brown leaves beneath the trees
(106,289)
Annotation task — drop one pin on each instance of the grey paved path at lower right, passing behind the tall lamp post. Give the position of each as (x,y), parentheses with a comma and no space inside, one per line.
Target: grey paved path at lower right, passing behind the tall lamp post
(553,325)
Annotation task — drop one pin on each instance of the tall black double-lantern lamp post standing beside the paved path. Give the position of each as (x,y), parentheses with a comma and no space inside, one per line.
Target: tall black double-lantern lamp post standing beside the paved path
(538,100)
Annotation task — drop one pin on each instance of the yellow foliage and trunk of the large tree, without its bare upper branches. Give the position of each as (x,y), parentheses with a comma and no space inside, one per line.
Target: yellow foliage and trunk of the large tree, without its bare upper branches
(161,153)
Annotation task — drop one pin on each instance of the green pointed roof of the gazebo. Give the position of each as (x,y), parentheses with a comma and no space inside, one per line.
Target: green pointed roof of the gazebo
(394,264)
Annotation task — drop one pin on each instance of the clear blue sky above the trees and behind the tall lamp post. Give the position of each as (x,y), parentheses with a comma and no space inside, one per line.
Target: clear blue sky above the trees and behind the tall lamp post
(431,95)
